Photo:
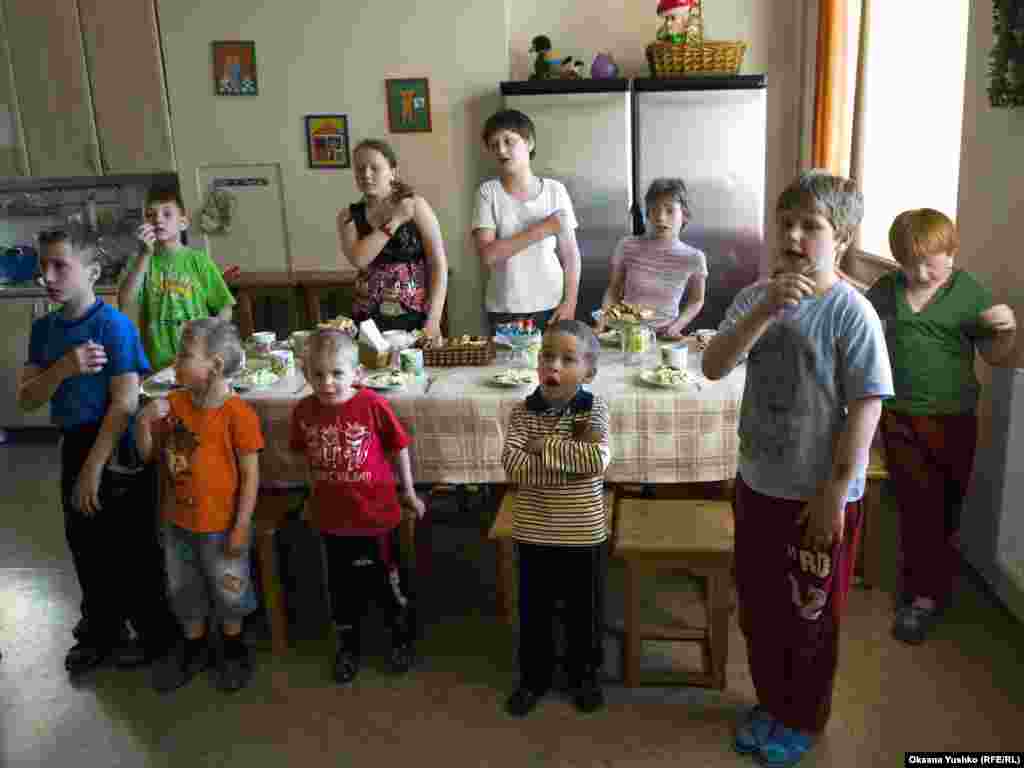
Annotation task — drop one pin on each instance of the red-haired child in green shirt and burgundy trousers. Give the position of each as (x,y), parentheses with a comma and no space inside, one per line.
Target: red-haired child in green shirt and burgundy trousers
(934,317)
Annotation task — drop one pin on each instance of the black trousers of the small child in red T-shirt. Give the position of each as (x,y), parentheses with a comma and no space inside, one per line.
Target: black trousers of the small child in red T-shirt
(363,569)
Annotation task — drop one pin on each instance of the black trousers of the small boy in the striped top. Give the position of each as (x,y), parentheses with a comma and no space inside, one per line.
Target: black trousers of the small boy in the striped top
(575,577)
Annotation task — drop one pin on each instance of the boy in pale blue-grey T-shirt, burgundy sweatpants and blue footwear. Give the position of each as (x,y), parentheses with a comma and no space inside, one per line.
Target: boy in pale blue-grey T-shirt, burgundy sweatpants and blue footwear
(818,370)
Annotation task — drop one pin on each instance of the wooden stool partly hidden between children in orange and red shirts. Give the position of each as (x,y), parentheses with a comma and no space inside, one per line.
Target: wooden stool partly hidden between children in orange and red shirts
(273,510)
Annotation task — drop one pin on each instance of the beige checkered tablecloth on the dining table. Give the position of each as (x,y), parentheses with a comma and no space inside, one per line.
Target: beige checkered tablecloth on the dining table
(458,420)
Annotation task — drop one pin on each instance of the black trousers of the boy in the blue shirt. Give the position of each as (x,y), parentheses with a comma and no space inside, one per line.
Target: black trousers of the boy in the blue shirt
(116,553)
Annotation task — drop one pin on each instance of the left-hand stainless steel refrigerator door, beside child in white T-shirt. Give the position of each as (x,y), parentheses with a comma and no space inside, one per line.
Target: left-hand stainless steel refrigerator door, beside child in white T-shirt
(583,141)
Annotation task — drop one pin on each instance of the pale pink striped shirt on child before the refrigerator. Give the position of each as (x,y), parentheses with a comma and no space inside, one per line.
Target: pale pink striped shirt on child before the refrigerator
(657,273)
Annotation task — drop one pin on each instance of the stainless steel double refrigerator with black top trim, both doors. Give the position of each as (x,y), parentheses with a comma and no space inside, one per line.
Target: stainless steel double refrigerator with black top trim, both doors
(608,140)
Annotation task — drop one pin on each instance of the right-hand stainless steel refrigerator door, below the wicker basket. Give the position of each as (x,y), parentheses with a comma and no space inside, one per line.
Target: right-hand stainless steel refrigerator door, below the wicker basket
(715,141)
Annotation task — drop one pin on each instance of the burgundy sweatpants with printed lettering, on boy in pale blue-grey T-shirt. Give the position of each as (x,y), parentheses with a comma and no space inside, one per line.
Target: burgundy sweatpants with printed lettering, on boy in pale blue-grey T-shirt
(791,602)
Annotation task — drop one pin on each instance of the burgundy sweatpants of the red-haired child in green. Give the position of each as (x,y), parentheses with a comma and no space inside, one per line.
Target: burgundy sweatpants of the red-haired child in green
(930,460)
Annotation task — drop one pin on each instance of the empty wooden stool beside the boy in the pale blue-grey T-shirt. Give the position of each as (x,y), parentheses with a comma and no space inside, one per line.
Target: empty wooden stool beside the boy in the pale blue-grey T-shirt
(694,535)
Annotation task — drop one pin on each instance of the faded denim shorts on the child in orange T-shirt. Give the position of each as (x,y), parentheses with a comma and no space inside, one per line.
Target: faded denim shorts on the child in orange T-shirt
(202,581)
